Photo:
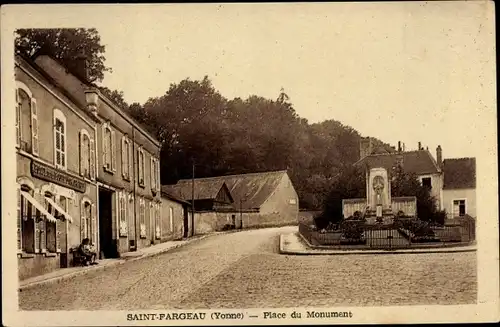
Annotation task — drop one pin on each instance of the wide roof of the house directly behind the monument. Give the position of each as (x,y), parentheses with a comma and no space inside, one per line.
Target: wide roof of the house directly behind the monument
(419,162)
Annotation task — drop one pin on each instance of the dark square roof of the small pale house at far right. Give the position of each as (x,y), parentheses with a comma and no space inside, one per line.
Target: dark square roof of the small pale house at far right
(459,173)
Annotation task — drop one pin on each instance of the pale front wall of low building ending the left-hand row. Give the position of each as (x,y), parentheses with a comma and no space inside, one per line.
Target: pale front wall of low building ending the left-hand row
(177,232)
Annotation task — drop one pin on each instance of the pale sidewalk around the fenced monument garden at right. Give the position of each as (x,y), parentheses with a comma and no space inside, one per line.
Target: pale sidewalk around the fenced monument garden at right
(295,244)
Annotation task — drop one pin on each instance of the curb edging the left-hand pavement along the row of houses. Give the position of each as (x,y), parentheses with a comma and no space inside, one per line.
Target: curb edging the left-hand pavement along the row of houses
(120,261)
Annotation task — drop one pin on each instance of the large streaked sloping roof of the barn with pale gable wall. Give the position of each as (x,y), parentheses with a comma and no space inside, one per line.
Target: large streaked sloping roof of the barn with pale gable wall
(252,189)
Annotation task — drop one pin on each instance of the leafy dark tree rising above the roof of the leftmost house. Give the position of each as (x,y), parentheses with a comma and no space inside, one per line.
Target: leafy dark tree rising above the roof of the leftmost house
(65,45)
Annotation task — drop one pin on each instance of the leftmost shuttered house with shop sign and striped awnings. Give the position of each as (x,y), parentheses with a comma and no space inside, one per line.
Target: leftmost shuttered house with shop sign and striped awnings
(57,192)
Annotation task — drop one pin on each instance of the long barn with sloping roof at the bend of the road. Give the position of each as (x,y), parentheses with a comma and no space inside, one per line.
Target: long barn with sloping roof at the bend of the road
(259,200)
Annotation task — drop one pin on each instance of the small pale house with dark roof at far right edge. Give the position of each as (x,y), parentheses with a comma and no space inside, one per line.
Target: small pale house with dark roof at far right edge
(459,189)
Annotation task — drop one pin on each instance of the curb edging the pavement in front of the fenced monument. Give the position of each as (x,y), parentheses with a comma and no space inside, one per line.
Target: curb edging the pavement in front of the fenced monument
(314,251)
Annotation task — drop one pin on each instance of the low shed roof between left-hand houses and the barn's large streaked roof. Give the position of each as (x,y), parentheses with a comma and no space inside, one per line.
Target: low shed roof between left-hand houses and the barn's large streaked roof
(204,189)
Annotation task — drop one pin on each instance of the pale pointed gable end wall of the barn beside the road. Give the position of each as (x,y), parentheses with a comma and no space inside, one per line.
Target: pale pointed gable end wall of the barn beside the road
(282,206)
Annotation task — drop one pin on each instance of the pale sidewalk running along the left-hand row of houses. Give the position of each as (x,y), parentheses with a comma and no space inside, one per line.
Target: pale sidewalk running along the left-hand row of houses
(66,273)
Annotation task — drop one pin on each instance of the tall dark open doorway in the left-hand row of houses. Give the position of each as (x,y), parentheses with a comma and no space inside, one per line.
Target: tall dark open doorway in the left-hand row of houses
(107,245)
